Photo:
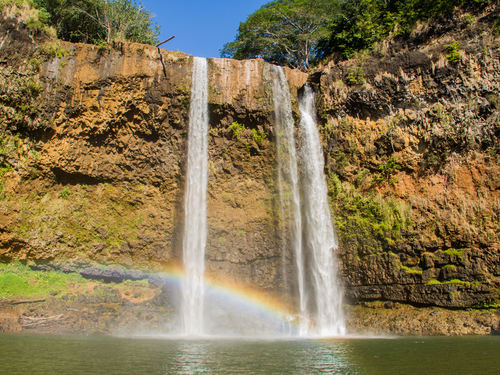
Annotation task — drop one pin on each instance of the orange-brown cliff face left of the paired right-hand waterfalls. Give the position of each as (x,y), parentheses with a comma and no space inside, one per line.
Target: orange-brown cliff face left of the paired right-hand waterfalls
(104,157)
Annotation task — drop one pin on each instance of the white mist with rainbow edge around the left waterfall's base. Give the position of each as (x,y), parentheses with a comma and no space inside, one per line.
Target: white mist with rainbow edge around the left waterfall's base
(228,312)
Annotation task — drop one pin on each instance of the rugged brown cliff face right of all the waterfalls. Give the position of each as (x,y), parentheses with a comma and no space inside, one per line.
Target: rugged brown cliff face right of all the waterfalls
(411,143)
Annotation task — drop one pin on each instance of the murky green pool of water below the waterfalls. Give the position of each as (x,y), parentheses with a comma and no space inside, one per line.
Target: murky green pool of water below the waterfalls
(44,354)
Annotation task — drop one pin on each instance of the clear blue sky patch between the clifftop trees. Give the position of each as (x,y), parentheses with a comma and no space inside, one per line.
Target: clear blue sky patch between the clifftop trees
(201,27)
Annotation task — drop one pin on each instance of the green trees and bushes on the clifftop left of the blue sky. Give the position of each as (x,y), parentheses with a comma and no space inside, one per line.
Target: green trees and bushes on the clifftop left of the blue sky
(101,20)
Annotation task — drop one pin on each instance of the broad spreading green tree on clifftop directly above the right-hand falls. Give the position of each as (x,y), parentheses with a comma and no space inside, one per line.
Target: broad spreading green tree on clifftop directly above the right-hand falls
(285,32)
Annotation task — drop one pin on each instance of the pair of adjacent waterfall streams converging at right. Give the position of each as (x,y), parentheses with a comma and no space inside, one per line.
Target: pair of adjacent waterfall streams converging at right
(320,239)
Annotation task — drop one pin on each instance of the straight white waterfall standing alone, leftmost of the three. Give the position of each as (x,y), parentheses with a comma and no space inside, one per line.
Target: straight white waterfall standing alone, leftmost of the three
(195,231)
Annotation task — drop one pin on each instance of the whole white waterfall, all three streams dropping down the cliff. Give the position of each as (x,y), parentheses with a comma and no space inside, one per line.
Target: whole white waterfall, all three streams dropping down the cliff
(313,240)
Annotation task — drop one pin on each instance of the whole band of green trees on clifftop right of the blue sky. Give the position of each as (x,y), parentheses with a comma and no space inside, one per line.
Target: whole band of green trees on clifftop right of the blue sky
(298,33)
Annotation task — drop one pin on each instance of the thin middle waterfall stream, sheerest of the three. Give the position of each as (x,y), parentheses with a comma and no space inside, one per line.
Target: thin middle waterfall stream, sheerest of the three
(288,183)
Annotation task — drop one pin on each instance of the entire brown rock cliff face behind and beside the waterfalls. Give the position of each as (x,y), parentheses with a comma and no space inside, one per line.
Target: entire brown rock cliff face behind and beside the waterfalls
(96,172)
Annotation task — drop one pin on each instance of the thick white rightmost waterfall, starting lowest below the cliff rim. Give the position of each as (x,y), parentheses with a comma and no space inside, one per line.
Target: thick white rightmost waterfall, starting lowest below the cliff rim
(321,238)
